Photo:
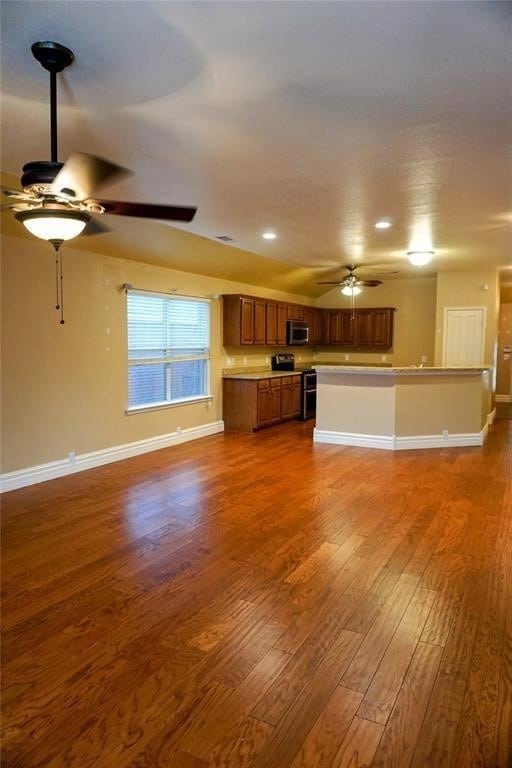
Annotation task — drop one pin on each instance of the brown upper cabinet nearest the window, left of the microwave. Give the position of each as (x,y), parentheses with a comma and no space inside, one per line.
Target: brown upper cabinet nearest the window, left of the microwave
(244,321)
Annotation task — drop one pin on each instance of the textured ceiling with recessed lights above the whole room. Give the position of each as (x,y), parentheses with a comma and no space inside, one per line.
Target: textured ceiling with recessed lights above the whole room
(311,118)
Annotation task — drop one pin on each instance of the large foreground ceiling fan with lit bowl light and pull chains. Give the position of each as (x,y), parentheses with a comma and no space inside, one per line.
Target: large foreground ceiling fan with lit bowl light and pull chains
(58,200)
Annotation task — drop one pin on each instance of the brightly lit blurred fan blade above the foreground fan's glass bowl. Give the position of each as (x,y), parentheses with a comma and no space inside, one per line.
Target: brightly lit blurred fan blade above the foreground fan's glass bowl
(82,174)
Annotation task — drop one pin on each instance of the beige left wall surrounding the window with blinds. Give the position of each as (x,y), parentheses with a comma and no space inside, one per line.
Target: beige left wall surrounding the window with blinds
(65,387)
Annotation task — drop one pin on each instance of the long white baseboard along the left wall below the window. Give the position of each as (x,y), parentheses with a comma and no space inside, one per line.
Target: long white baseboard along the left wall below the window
(31,475)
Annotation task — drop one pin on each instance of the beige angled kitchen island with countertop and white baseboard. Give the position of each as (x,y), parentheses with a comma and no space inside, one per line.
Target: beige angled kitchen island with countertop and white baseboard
(401,408)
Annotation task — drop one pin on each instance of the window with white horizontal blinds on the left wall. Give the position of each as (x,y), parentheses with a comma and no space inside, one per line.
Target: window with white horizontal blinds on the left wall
(168,349)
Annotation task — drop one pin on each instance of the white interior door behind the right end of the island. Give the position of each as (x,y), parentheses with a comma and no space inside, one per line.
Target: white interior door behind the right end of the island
(464,336)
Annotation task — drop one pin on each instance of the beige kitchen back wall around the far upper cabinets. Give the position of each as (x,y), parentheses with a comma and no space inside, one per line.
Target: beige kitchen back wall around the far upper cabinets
(415,302)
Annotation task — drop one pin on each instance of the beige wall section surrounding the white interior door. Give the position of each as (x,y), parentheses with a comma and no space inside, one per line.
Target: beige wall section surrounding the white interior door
(467,289)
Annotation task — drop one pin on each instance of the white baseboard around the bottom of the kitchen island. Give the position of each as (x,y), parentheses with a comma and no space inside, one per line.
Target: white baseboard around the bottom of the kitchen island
(393,443)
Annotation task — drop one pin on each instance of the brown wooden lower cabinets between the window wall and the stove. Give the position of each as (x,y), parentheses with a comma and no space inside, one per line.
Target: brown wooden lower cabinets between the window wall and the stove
(250,404)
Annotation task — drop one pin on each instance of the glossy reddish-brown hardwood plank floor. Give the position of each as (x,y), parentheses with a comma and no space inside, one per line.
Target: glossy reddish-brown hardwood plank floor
(260,601)
